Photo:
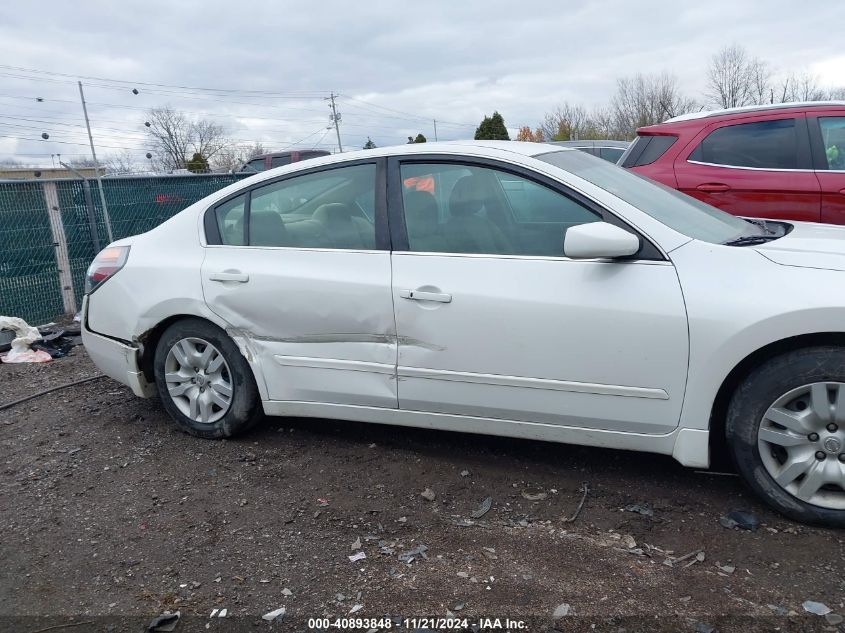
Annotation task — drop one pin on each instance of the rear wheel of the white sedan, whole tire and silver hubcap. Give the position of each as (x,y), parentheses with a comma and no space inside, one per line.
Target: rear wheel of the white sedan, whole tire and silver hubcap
(205,383)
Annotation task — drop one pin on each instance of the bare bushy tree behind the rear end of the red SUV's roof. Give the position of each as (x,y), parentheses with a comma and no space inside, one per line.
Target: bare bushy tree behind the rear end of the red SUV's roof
(645,100)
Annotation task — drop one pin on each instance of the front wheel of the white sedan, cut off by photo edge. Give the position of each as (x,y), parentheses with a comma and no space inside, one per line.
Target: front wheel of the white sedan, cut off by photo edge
(786,434)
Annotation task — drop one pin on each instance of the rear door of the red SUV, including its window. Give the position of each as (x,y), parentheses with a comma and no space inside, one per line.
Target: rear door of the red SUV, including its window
(757,167)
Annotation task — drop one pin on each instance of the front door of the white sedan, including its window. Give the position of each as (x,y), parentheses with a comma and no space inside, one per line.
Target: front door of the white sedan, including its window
(494,322)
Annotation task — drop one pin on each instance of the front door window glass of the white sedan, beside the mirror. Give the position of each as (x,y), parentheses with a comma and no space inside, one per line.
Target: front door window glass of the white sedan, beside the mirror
(453,208)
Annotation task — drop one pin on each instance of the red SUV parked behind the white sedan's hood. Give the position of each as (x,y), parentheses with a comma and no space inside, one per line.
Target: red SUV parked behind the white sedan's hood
(784,161)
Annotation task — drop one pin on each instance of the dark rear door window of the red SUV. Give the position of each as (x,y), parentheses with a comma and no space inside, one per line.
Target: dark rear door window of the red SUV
(764,145)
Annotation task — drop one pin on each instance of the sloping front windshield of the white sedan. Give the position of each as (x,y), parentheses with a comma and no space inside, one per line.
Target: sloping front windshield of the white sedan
(676,210)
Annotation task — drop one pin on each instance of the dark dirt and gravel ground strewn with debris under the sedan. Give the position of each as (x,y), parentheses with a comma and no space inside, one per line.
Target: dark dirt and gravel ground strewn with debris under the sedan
(110,516)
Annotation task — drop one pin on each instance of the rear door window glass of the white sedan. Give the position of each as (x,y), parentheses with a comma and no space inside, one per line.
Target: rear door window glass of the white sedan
(327,209)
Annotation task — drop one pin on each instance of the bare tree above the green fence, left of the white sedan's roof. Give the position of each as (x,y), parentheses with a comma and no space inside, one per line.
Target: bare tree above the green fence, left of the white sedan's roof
(176,138)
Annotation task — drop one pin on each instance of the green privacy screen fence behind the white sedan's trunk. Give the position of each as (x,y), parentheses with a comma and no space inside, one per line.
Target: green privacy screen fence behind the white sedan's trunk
(48,232)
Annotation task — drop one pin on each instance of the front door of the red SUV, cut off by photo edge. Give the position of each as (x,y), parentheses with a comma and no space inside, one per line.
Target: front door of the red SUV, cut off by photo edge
(827,132)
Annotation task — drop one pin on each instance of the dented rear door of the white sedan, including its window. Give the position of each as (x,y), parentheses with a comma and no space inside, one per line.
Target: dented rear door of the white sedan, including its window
(296,273)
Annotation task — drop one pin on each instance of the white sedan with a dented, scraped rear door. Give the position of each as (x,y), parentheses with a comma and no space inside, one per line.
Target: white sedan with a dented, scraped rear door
(513,289)
